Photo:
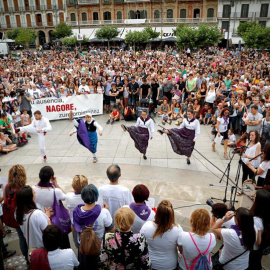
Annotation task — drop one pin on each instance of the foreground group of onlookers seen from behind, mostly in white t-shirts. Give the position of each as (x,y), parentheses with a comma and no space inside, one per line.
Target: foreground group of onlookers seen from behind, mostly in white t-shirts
(115,228)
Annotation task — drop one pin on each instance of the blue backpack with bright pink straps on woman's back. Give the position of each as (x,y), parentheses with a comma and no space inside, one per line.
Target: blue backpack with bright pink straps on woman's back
(201,262)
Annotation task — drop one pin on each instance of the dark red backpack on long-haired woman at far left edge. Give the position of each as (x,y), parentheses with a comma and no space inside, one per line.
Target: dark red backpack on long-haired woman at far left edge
(9,208)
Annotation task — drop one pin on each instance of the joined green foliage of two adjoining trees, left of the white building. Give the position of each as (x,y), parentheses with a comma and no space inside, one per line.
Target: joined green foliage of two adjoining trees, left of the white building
(202,36)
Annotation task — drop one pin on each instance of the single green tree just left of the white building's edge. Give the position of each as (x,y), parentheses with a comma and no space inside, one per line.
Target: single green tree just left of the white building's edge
(207,35)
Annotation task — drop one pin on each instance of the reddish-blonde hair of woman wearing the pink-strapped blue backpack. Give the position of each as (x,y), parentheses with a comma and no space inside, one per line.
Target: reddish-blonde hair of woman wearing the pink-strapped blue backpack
(200,222)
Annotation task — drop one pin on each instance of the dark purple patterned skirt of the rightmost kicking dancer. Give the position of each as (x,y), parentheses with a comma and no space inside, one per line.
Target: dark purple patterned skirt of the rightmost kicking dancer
(182,141)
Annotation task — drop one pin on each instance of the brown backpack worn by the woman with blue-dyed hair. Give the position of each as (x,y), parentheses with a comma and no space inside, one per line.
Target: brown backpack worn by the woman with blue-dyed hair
(90,244)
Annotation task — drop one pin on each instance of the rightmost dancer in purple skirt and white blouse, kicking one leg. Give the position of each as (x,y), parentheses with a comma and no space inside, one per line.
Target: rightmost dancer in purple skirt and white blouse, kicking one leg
(183,138)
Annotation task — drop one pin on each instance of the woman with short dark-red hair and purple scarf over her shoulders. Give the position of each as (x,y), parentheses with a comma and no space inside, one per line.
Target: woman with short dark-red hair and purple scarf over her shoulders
(142,212)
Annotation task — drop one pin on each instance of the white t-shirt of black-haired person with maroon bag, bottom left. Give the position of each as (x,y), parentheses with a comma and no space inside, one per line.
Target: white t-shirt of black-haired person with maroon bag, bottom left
(64,259)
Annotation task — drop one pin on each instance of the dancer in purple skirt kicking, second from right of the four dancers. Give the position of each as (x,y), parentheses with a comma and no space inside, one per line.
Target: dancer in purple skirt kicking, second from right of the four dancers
(140,133)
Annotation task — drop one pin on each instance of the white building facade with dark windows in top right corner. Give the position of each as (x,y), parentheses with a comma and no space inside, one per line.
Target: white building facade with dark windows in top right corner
(233,13)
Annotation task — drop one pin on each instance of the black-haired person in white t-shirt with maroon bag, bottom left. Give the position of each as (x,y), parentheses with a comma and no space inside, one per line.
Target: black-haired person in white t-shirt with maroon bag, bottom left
(51,256)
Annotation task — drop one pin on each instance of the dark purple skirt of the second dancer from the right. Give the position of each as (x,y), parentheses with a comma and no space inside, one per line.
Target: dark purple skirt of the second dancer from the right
(140,137)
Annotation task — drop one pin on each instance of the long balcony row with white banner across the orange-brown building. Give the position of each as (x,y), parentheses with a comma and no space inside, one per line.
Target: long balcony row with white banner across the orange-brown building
(146,21)
